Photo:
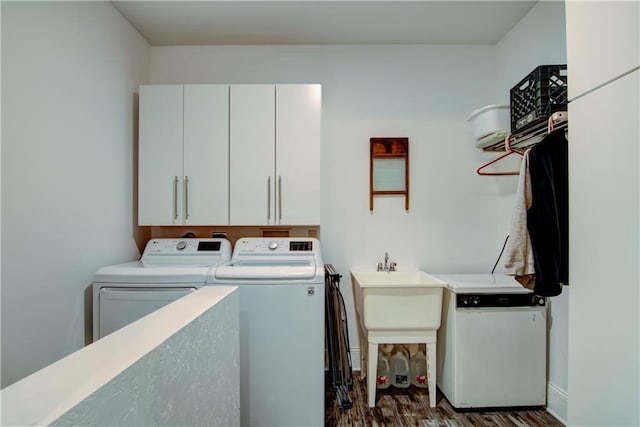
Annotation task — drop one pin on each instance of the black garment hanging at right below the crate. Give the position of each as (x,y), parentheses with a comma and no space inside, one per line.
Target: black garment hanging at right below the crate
(548,215)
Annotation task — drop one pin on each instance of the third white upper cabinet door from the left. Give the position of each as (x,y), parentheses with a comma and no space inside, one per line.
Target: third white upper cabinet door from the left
(252,154)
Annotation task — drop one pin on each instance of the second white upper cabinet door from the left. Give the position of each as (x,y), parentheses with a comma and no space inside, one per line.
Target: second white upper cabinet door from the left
(206,155)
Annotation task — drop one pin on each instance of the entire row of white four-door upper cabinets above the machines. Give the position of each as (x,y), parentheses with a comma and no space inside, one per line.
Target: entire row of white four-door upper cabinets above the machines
(239,154)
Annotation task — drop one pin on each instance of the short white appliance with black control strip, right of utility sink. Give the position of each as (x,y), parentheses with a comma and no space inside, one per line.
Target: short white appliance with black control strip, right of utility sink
(492,346)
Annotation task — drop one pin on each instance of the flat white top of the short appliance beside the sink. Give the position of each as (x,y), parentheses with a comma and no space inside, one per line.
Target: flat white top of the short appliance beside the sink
(483,284)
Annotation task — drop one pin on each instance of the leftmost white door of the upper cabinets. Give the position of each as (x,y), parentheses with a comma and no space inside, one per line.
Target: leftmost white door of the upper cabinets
(159,154)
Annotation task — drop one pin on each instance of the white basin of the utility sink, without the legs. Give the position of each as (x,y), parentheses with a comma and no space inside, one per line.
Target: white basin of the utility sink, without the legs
(397,300)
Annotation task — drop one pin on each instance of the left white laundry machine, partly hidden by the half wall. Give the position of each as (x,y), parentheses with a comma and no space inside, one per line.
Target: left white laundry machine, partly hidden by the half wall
(168,269)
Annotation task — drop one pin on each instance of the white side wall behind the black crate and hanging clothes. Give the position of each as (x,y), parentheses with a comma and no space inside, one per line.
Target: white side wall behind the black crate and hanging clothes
(540,38)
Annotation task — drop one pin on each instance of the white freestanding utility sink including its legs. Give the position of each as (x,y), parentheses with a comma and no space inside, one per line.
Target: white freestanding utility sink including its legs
(398,307)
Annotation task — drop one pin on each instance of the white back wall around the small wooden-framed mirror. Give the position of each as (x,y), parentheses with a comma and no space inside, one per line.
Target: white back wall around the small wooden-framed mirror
(456,222)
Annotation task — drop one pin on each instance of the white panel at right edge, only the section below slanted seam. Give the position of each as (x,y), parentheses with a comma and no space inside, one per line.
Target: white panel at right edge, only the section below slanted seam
(604,385)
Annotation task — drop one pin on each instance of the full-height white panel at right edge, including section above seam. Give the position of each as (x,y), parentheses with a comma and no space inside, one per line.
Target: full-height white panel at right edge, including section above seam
(604,213)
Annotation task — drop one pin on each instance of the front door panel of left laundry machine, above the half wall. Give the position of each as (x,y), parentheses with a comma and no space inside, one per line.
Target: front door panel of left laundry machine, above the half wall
(121,306)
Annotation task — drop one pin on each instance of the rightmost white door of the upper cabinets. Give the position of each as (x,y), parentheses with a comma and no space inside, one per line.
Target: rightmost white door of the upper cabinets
(298,111)
